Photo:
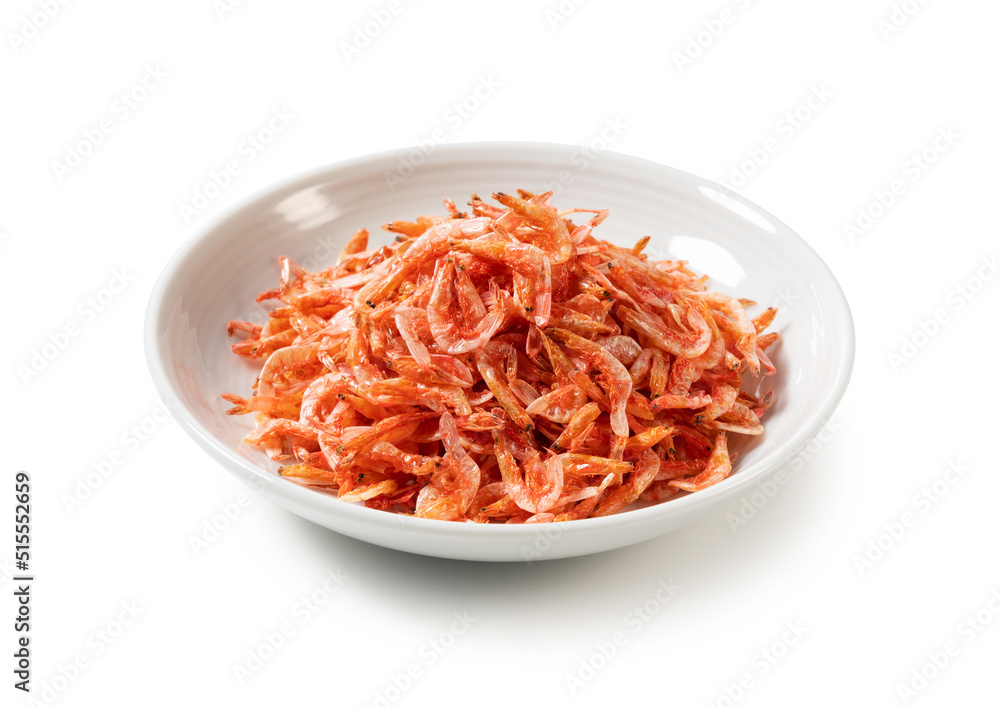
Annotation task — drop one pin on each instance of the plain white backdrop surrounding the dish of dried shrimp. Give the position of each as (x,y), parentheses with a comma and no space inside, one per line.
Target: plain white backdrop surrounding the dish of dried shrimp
(685,85)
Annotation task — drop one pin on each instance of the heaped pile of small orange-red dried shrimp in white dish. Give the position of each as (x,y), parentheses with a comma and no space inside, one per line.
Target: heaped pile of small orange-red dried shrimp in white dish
(502,365)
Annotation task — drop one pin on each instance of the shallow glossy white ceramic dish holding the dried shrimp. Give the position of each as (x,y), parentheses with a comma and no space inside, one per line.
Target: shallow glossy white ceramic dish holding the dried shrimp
(217,274)
